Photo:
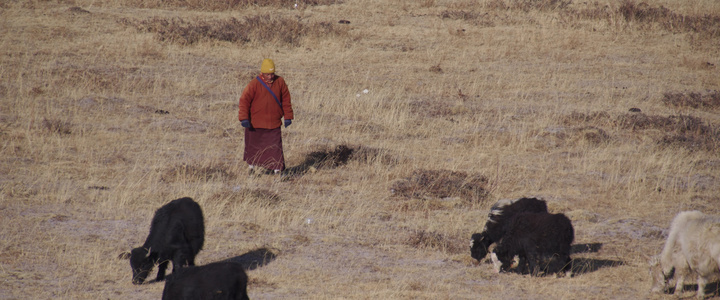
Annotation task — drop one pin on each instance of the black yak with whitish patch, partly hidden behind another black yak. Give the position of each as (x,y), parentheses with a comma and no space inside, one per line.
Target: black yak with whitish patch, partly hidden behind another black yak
(497,223)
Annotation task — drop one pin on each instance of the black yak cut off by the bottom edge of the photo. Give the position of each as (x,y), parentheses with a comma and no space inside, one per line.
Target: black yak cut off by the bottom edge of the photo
(218,281)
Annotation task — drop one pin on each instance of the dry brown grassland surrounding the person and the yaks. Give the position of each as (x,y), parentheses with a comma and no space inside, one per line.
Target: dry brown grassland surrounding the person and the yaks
(609,110)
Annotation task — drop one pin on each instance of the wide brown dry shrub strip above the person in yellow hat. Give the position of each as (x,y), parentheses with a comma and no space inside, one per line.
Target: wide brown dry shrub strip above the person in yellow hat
(263,28)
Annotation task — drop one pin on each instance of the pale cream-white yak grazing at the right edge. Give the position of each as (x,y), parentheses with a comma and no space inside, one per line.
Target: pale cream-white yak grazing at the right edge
(692,248)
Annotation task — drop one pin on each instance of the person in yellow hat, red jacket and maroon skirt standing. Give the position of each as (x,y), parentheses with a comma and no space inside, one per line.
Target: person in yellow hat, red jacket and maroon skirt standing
(264,104)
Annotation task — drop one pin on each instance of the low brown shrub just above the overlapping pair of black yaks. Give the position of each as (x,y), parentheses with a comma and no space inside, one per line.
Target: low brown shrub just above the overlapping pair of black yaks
(424,184)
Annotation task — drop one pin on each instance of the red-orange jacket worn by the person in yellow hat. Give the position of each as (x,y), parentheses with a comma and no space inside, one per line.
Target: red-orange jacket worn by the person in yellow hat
(259,106)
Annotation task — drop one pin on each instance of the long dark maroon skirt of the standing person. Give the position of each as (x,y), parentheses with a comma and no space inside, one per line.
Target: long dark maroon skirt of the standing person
(263,148)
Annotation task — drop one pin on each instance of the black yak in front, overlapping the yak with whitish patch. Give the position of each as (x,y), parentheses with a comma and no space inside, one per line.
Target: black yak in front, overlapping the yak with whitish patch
(540,240)
